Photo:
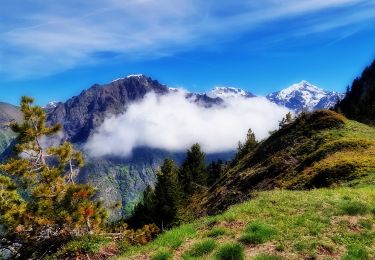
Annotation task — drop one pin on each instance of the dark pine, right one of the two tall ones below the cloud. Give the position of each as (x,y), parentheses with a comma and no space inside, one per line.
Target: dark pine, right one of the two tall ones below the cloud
(193,175)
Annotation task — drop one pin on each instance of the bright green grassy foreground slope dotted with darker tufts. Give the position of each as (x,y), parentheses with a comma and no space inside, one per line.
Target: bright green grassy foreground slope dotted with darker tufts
(318,224)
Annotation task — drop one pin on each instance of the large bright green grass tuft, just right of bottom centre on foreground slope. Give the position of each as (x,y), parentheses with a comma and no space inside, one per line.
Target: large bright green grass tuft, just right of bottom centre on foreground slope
(257,233)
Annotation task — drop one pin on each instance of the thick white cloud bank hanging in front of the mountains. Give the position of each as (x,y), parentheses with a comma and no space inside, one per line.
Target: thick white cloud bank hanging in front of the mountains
(173,123)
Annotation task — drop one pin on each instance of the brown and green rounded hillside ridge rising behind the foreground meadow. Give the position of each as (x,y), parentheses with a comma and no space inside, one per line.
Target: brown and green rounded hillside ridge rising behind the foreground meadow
(321,149)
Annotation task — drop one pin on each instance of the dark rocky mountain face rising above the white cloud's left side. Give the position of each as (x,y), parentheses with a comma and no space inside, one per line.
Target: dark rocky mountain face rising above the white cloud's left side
(81,114)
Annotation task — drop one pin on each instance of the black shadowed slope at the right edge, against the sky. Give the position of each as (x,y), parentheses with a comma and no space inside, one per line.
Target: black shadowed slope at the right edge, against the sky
(359,102)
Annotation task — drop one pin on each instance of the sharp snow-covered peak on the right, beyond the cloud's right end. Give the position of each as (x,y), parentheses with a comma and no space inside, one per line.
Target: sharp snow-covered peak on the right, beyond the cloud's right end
(305,96)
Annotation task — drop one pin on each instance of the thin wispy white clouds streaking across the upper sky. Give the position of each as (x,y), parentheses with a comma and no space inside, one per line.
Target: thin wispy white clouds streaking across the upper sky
(39,38)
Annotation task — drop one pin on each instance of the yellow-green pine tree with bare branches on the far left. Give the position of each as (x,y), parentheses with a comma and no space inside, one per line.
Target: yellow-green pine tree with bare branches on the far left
(54,203)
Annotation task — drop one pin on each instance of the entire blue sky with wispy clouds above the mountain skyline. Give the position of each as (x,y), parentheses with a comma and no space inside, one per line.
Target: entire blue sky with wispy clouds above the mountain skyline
(54,49)
